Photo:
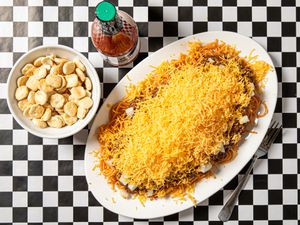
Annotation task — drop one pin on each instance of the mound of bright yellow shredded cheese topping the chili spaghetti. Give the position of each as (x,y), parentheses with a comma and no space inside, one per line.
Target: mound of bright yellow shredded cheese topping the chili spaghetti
(172,133)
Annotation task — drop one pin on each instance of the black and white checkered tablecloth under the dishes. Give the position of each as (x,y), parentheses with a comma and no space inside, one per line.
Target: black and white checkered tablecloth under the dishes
(42,180)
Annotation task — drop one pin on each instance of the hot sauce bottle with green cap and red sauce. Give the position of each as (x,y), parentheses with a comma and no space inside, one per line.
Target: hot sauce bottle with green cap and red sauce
(115,35)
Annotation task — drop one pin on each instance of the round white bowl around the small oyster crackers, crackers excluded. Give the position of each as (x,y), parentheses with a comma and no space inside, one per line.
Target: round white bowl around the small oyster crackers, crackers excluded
(29,57)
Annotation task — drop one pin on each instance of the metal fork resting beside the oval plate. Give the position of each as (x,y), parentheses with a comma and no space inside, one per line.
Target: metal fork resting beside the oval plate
(269,138)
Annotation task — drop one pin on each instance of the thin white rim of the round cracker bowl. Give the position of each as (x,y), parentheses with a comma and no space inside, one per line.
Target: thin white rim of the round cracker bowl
(96,98)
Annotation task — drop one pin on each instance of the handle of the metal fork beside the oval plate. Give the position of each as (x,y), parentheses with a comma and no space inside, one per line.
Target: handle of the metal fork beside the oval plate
(227,209)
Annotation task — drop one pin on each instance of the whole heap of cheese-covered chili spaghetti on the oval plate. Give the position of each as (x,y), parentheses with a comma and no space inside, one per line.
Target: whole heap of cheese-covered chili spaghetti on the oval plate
(182,116)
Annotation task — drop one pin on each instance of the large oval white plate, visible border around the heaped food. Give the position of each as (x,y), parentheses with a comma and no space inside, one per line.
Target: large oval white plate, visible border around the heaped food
(206,188)
